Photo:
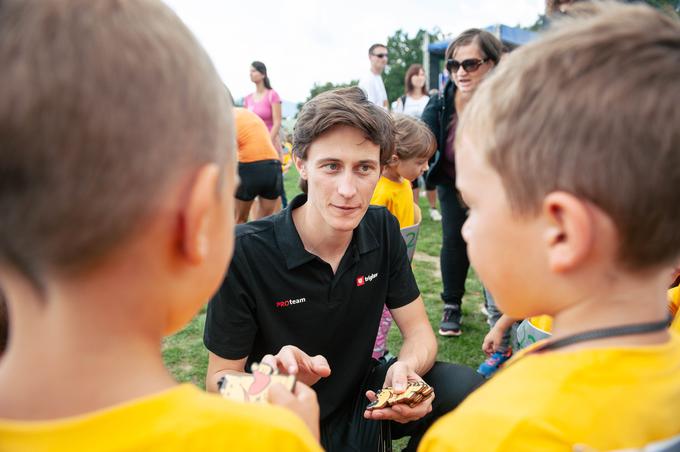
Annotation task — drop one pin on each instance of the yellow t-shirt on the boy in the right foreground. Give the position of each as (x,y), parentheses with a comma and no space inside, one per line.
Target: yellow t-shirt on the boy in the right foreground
(604,398)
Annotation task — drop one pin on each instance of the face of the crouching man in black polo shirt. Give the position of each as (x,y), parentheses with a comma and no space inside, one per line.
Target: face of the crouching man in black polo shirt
(342,169)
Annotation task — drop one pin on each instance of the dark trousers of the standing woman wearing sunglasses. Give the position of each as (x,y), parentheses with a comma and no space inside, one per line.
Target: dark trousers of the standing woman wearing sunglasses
(453,258)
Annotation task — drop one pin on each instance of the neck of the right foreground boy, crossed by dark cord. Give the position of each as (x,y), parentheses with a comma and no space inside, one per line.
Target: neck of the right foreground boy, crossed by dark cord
(630,303)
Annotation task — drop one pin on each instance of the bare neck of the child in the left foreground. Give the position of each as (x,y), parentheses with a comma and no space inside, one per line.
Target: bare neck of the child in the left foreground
(58,349)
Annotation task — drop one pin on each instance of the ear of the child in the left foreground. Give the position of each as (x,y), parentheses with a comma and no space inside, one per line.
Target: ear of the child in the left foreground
(196,214)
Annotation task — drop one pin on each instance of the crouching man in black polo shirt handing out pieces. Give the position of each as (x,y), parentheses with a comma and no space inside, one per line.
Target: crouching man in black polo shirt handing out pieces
(306,286)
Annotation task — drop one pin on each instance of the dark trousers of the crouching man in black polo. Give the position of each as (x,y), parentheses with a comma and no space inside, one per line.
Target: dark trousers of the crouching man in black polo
(348,430)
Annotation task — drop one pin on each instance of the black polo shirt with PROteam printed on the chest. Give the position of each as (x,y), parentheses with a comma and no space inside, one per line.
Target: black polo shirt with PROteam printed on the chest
(276,293)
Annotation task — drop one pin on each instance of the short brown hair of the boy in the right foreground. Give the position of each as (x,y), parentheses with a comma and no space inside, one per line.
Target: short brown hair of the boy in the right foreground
(591,108)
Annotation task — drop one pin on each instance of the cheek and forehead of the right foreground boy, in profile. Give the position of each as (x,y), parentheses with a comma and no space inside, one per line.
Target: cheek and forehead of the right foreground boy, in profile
(503,248)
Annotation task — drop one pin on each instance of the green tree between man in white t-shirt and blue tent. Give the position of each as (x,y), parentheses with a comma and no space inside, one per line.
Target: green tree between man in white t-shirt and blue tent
(404,51)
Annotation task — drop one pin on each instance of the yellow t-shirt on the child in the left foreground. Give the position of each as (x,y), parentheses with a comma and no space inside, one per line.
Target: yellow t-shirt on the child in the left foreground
(180,419)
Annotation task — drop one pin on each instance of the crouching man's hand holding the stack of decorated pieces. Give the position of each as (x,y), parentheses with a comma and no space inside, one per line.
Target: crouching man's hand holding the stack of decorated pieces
(398,376)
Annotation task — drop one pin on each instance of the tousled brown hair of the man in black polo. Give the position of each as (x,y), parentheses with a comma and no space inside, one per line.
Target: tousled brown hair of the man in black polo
(343,107)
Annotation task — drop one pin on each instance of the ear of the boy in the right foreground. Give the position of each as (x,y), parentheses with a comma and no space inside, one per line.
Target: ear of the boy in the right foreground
(570,230)
